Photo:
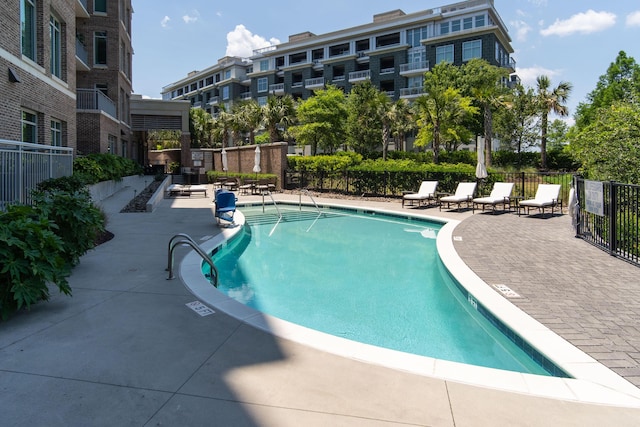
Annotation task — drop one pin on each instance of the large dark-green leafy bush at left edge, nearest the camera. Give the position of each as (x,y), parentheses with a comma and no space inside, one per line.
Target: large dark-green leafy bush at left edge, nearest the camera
(31,256)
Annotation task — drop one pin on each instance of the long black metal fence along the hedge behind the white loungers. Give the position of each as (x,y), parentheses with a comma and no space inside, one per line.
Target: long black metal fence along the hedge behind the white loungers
(392,184)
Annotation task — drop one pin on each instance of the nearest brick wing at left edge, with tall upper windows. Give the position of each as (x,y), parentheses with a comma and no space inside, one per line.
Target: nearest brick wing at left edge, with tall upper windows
(38,71)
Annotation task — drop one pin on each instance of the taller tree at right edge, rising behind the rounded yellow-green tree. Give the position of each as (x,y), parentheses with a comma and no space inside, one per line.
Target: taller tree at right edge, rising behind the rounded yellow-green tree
(621,82)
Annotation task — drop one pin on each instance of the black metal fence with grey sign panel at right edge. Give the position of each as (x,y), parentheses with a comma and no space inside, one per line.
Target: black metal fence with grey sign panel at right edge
(608,216)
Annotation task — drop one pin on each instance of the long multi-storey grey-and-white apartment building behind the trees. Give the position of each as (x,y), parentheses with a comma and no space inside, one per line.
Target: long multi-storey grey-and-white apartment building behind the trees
(393,52)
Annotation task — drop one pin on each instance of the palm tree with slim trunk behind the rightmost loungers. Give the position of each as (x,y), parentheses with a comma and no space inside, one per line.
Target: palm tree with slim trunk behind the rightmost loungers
(550,101)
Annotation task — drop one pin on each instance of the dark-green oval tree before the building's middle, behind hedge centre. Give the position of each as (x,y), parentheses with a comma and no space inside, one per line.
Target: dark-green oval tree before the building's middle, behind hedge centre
(364,117)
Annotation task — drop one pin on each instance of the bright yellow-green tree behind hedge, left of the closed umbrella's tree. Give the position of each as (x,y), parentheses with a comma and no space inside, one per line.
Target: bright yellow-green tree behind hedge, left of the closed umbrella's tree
(442,108)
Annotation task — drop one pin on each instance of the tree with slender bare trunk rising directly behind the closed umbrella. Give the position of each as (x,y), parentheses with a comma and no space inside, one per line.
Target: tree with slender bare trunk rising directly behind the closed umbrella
(485,83)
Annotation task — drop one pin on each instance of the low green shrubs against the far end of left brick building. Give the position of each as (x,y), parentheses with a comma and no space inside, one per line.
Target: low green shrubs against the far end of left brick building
(95,168)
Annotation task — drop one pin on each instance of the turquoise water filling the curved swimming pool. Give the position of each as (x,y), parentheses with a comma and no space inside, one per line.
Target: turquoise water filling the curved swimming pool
(371,278)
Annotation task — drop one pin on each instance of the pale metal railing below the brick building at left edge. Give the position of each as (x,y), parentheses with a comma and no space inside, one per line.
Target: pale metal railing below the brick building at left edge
(23,166)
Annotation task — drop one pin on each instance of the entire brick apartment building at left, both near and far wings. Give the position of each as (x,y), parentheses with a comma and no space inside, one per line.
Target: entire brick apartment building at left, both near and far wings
(66,73)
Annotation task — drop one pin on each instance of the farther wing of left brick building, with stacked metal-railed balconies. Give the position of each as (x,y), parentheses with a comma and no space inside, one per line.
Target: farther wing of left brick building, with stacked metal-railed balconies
(104,84)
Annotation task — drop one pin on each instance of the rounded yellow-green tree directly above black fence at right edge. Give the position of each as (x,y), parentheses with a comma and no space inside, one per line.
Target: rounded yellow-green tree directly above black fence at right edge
(609,147)
